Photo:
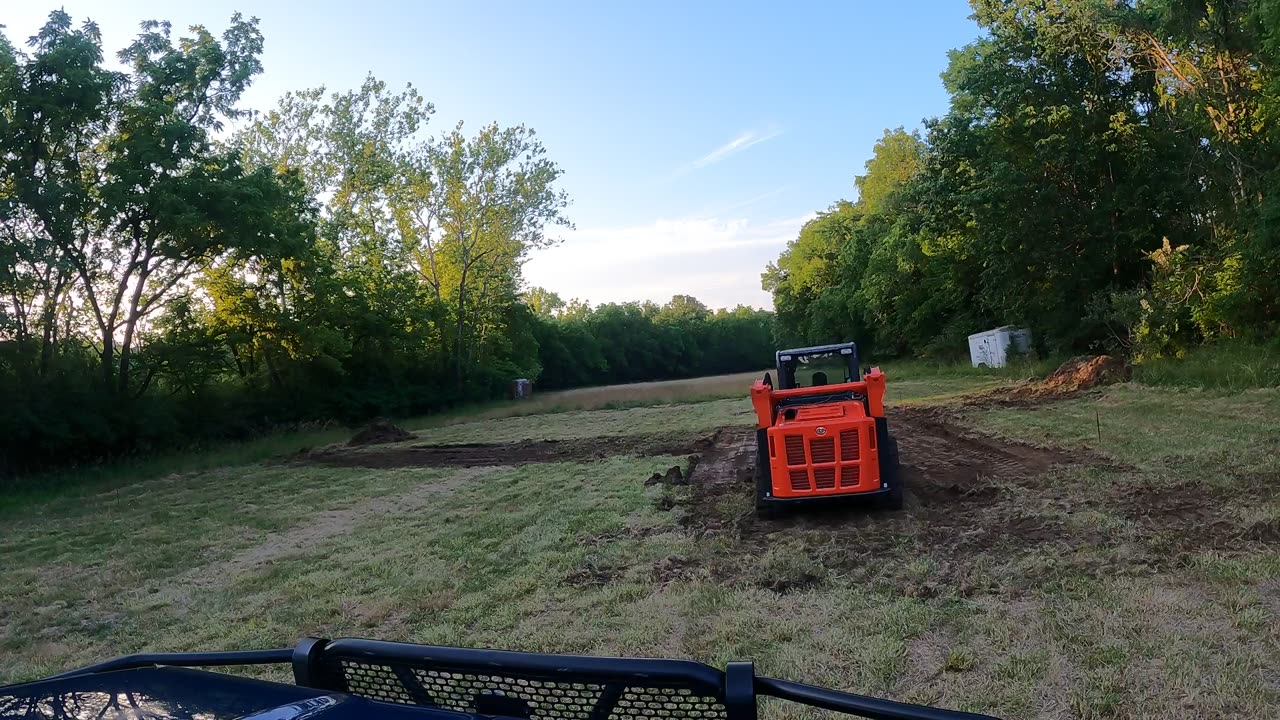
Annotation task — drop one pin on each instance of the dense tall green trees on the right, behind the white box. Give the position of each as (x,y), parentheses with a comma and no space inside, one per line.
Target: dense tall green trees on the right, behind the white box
(1107,175)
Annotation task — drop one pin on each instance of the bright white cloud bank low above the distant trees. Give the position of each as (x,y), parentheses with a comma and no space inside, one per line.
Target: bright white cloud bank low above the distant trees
(717,261)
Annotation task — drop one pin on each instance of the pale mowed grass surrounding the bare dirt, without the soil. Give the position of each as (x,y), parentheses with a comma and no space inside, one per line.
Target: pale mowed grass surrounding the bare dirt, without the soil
(583,558)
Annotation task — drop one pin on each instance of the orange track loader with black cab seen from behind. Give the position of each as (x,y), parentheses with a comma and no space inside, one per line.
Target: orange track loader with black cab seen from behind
(822,432)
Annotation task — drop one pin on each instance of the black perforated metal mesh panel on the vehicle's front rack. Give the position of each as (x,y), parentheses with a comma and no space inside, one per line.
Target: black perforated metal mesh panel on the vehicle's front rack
(520,696)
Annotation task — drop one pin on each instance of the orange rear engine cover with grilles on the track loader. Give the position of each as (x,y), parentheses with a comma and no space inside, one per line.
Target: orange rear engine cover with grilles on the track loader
(826,449)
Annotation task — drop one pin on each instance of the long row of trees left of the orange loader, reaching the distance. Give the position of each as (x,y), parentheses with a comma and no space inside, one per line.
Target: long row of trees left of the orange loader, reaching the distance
(176,268)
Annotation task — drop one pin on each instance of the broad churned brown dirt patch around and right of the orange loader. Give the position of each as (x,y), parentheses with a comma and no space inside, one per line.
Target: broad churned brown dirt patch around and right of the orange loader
(982,516)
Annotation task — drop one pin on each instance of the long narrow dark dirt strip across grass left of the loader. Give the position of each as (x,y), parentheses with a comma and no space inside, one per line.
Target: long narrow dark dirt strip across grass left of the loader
(478,455)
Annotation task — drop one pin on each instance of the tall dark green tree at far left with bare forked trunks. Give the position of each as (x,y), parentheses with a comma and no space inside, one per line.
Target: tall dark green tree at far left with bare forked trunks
(115,194)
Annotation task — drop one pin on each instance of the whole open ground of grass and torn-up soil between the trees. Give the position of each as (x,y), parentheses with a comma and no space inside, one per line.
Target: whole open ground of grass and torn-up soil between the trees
(1109,555)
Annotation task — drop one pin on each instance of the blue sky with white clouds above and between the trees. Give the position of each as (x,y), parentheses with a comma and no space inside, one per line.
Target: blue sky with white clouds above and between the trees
(696,138)
